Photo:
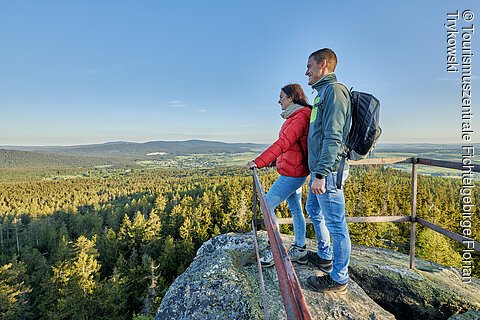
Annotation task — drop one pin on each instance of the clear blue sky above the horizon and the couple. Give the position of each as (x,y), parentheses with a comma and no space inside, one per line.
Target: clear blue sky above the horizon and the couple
(78,72)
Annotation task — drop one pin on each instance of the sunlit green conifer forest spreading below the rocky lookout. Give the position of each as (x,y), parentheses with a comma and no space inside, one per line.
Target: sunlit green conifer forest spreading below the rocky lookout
(108,247)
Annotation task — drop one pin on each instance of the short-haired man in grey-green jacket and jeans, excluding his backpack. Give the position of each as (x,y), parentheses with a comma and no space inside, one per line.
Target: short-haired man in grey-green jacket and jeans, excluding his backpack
(329,124)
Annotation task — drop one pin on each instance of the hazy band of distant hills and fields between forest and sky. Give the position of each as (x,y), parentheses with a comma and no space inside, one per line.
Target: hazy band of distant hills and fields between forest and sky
(122,152)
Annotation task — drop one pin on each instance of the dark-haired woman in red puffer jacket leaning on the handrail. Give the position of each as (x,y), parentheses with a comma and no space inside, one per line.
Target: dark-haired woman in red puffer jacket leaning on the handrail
(290,154)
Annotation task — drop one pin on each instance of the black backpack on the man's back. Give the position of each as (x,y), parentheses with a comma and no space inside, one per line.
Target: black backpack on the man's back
(364,130)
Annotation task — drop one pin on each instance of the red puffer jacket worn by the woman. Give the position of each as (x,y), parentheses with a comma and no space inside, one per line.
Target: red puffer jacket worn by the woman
(286,150)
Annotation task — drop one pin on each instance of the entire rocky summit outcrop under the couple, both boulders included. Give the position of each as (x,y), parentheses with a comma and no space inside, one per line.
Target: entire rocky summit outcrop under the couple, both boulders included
(222,283)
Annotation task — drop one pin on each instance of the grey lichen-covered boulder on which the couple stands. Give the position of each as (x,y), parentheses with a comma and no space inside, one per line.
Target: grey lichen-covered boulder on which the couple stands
(223,283)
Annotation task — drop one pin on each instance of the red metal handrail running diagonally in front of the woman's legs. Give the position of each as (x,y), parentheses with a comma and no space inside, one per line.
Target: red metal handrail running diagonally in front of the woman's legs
(293,299)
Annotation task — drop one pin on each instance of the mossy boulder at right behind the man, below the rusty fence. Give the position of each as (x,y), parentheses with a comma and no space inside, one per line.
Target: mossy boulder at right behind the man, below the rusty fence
(430,291)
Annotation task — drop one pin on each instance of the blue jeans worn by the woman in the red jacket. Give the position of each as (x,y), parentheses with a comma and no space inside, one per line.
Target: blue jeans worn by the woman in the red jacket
(290,189)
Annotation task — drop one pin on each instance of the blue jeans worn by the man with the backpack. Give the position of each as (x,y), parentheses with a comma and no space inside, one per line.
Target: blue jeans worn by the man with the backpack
(327,213)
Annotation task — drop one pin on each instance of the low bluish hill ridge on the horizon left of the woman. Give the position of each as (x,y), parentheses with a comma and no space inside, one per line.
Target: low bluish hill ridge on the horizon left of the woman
(140,150)
